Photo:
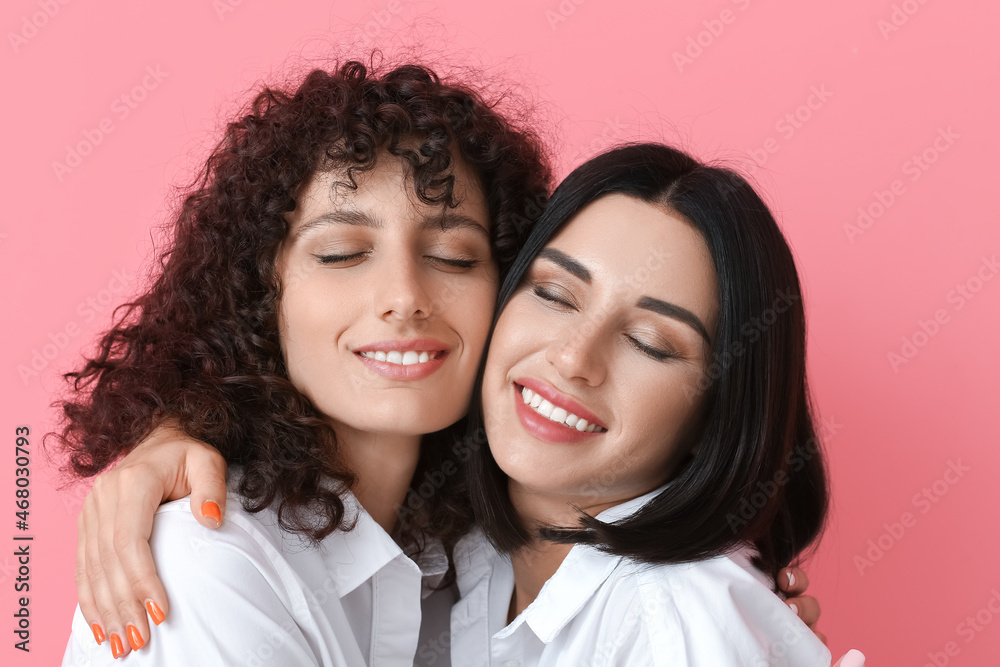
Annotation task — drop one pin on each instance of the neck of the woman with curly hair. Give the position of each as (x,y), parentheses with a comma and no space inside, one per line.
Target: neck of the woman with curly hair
(384,465)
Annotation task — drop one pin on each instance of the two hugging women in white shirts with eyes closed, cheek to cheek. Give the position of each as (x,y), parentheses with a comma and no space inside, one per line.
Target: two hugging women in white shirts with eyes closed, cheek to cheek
(453,431)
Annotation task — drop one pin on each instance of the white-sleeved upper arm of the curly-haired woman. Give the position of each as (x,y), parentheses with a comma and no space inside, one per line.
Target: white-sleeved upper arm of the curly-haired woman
(233,604)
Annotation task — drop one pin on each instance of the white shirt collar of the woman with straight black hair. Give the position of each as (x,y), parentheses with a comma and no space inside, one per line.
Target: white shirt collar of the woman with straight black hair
(578,578)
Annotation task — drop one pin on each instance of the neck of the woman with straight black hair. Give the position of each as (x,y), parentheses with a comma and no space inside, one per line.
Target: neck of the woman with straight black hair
(538,561)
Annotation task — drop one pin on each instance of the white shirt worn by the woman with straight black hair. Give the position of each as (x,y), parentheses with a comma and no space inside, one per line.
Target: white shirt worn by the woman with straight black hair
(599,610)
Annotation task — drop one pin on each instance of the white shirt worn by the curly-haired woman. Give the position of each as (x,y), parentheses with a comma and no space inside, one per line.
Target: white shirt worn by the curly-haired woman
(250,593)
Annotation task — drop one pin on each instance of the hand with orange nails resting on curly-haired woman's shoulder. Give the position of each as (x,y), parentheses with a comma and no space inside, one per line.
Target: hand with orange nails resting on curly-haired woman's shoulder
(117,584)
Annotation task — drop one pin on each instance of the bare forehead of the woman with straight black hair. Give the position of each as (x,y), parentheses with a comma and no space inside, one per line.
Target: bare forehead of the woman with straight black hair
(638,249)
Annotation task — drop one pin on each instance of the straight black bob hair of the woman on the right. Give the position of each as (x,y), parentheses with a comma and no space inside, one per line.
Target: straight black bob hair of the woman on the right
(758,475)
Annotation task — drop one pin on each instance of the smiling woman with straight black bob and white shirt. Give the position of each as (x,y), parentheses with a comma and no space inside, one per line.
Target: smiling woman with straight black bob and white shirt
(650,434)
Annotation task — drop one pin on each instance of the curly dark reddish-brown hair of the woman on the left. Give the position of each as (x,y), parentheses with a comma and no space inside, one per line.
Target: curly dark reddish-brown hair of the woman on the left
(201,346)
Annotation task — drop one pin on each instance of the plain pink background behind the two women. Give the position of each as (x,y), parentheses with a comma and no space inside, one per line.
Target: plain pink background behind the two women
(886,82)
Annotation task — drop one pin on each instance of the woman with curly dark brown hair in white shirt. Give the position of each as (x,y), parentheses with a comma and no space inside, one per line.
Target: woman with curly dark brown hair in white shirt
(323,306)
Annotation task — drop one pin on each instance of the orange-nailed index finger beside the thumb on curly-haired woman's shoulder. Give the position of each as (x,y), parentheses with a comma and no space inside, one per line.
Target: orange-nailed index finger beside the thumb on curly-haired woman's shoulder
(133,525)
